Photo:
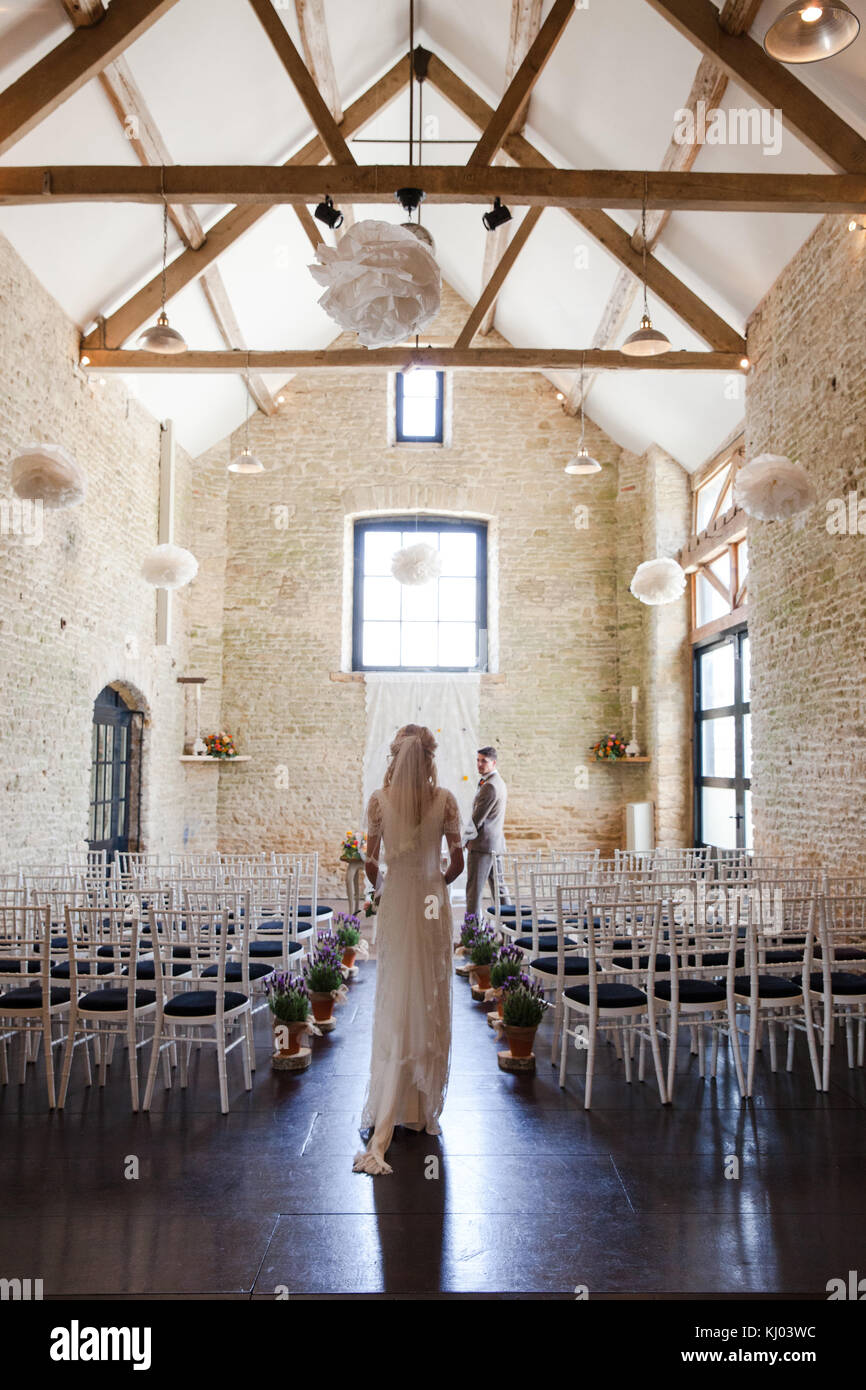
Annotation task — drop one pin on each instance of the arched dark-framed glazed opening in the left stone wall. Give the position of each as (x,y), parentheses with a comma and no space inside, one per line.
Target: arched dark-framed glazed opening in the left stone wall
(113,787)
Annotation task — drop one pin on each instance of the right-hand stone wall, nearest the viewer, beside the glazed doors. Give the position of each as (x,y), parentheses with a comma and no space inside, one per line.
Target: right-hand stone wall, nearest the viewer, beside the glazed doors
(807,398)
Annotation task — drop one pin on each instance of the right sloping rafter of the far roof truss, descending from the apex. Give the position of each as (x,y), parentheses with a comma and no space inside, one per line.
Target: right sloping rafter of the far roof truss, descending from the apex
(689,306)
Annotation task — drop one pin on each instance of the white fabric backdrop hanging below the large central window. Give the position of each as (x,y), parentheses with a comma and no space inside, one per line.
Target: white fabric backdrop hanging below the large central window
(450,705)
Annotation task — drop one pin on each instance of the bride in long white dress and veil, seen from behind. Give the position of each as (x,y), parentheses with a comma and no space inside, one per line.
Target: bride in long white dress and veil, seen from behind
(415,942)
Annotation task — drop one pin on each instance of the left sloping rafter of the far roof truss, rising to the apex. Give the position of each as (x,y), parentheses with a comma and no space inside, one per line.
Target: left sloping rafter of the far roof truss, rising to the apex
(140,308)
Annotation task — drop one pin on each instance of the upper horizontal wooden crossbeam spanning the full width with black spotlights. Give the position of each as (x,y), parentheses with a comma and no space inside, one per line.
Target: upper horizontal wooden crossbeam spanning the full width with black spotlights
(585,193)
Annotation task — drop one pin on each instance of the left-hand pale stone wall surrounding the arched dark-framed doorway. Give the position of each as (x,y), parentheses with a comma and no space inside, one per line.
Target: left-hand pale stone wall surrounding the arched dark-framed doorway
(74,612)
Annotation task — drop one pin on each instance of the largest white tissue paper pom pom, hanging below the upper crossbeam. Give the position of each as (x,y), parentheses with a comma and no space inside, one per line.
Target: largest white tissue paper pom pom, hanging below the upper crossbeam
(382,283)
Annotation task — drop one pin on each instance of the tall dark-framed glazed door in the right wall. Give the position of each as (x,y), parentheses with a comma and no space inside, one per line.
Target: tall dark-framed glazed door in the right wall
(724,743)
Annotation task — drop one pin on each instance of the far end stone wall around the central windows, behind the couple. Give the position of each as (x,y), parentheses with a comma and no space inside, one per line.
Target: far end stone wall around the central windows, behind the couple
(571,640)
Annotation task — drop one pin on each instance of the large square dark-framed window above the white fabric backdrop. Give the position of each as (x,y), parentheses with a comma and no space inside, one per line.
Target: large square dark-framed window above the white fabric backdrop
(420,628)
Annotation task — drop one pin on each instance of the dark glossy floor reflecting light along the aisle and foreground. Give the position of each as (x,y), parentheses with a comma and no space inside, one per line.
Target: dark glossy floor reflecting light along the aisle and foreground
(534,1196)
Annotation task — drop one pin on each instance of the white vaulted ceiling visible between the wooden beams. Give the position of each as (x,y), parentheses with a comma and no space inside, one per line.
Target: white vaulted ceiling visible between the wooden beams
(607,99)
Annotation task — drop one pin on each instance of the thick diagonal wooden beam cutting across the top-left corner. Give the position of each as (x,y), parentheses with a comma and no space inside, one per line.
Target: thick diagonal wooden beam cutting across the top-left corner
(72,65)
